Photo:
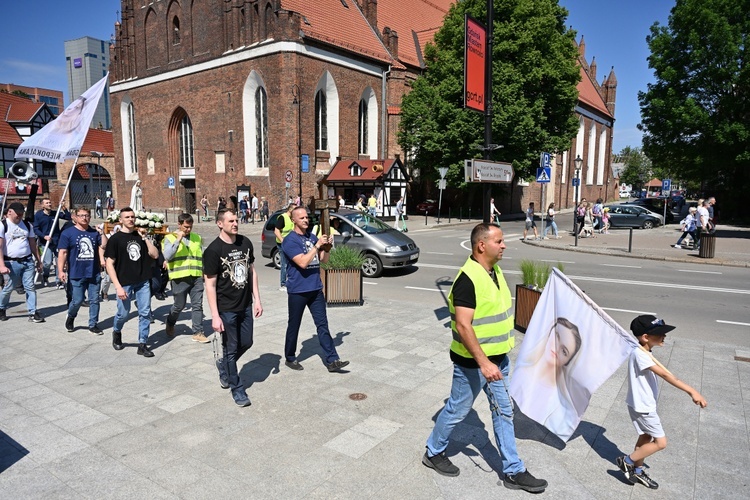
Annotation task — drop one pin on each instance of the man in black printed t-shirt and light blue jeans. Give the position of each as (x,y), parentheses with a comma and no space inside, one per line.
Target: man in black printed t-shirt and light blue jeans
(129,256)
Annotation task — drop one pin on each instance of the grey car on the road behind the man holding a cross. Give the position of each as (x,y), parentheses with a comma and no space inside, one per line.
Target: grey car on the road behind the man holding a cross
(383,246)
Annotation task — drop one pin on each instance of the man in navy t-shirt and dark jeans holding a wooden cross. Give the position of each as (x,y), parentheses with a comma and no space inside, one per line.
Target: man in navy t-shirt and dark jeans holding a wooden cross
(305,252)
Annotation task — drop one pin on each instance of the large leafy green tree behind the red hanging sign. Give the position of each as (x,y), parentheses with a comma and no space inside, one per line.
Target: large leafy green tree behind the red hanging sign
(534,77)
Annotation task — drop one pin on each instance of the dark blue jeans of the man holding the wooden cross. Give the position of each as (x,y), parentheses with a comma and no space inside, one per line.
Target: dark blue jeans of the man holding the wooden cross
(316,302)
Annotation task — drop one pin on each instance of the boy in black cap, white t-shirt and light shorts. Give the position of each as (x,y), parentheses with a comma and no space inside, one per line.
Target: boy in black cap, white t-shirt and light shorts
(642,393)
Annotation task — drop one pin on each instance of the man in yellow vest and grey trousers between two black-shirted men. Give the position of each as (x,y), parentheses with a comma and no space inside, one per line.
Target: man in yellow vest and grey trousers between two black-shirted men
(183,252)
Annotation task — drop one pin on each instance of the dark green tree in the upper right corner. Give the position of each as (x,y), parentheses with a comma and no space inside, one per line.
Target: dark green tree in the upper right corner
(696,116)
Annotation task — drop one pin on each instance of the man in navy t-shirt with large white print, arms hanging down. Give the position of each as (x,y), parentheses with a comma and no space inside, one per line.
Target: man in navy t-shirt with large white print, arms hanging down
(80,256)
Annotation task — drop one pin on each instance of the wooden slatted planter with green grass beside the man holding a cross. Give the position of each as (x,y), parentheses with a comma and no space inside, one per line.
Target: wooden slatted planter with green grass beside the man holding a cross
(342,276)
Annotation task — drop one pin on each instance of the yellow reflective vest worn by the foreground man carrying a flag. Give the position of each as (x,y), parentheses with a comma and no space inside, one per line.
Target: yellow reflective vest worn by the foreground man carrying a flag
(493,316)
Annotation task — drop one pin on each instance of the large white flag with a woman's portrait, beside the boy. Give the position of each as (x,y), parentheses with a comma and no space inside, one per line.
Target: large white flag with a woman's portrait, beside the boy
(570,349)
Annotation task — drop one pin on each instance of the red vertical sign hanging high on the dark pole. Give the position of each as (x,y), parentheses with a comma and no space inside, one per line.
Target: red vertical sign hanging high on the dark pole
(474,64)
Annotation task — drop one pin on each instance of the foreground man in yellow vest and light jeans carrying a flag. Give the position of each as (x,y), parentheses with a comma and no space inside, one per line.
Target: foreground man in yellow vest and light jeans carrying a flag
(482,324)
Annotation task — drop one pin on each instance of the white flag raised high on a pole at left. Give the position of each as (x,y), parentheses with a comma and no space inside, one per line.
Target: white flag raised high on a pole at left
(63,137)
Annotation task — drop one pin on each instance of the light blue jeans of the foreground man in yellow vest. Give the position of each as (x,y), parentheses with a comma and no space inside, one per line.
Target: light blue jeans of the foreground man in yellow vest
(467,382)
